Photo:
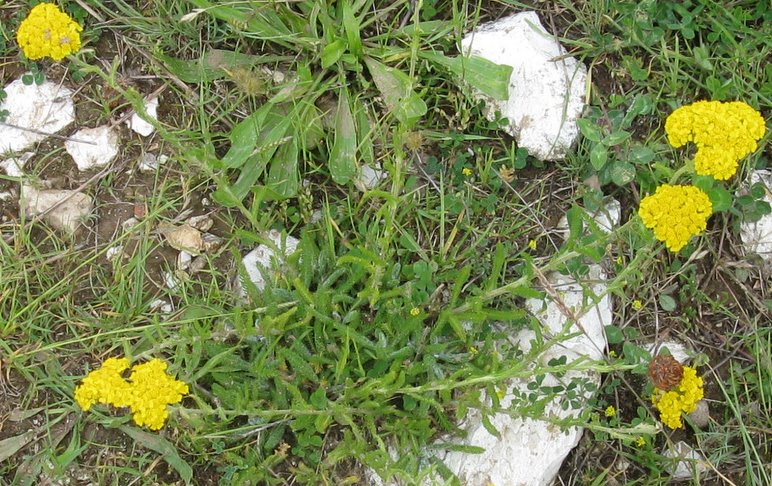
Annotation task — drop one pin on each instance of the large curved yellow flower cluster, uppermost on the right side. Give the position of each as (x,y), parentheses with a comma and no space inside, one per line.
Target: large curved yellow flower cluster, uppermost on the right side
(723,132)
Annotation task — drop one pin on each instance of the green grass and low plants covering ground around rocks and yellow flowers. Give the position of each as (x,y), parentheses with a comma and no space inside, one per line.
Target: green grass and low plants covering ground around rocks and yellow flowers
(389,323)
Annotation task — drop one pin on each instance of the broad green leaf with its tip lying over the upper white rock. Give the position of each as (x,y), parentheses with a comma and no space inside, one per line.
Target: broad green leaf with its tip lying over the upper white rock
(486,76)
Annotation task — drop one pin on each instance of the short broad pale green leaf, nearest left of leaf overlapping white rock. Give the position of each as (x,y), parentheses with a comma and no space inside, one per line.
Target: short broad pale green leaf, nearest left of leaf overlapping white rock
(395,87)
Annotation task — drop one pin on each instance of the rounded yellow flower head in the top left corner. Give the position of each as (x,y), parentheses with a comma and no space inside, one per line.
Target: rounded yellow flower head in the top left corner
(48,32)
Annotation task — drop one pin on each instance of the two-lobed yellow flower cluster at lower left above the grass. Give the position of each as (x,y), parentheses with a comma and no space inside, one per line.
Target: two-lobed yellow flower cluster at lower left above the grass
(147,391)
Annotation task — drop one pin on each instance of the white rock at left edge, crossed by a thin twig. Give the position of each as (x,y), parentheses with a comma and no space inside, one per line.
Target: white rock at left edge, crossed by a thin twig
(37,111)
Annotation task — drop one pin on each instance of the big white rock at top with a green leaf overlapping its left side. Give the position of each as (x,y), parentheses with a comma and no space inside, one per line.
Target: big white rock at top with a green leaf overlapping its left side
(546,89)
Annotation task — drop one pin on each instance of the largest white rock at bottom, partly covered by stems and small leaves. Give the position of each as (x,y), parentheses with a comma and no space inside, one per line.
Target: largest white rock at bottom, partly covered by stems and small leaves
(537,443)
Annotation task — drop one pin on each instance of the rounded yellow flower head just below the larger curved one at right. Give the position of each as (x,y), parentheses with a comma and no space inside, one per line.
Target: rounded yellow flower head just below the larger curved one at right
(676,213)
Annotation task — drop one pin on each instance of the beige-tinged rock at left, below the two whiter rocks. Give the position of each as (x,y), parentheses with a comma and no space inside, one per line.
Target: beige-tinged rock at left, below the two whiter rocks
(71,207)
